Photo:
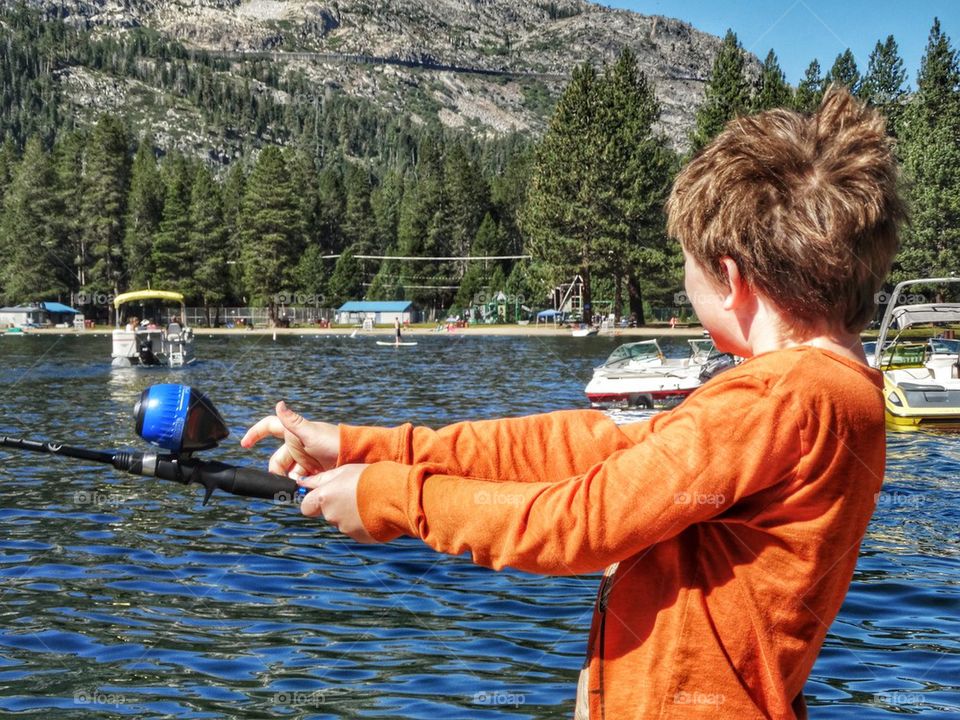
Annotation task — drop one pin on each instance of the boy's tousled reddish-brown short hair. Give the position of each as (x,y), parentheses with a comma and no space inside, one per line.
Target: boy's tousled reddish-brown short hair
(807,206)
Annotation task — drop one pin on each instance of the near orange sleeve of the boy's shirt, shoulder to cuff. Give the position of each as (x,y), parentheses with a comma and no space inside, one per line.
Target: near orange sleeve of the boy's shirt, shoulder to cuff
(728,441)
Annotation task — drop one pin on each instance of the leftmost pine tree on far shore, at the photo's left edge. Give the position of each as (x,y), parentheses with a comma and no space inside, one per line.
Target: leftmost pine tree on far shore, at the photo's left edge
(36,265)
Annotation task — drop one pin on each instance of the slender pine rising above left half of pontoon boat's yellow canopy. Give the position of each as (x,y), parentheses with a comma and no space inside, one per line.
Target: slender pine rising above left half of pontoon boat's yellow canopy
(144,212)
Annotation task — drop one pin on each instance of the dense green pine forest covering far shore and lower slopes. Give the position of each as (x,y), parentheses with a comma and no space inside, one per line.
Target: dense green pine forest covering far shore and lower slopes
(89,210)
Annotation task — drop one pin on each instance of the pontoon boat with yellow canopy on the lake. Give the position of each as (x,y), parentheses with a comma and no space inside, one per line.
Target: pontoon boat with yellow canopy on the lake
(147,344)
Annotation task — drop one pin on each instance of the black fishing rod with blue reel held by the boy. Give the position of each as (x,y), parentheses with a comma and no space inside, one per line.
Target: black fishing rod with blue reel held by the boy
(183,421)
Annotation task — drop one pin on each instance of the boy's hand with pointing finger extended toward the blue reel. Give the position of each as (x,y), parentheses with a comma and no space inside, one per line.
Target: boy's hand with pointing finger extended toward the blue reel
(308,448)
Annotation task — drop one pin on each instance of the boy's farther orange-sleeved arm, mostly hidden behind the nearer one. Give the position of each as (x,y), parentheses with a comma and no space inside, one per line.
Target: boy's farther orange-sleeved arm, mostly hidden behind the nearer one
(527,449)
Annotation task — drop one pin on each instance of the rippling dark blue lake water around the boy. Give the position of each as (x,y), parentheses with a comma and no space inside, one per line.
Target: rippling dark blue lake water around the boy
(122,596)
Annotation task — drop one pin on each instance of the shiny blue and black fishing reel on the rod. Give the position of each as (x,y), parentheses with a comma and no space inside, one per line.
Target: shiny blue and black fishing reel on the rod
(178,418)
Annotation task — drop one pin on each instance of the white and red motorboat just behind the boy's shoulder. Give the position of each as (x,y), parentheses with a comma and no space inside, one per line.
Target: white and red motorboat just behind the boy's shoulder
(639,374)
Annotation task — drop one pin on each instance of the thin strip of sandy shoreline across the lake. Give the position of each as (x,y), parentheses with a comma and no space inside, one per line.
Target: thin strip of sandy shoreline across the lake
(479,331)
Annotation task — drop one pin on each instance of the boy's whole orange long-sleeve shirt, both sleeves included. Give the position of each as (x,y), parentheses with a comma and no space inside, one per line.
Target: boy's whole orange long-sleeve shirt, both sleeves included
(729,526)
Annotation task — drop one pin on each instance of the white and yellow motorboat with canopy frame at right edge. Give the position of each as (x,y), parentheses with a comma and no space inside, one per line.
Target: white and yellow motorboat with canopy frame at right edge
(921,368)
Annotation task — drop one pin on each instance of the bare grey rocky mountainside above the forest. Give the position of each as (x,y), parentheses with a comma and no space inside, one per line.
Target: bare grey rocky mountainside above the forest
(488,67)
